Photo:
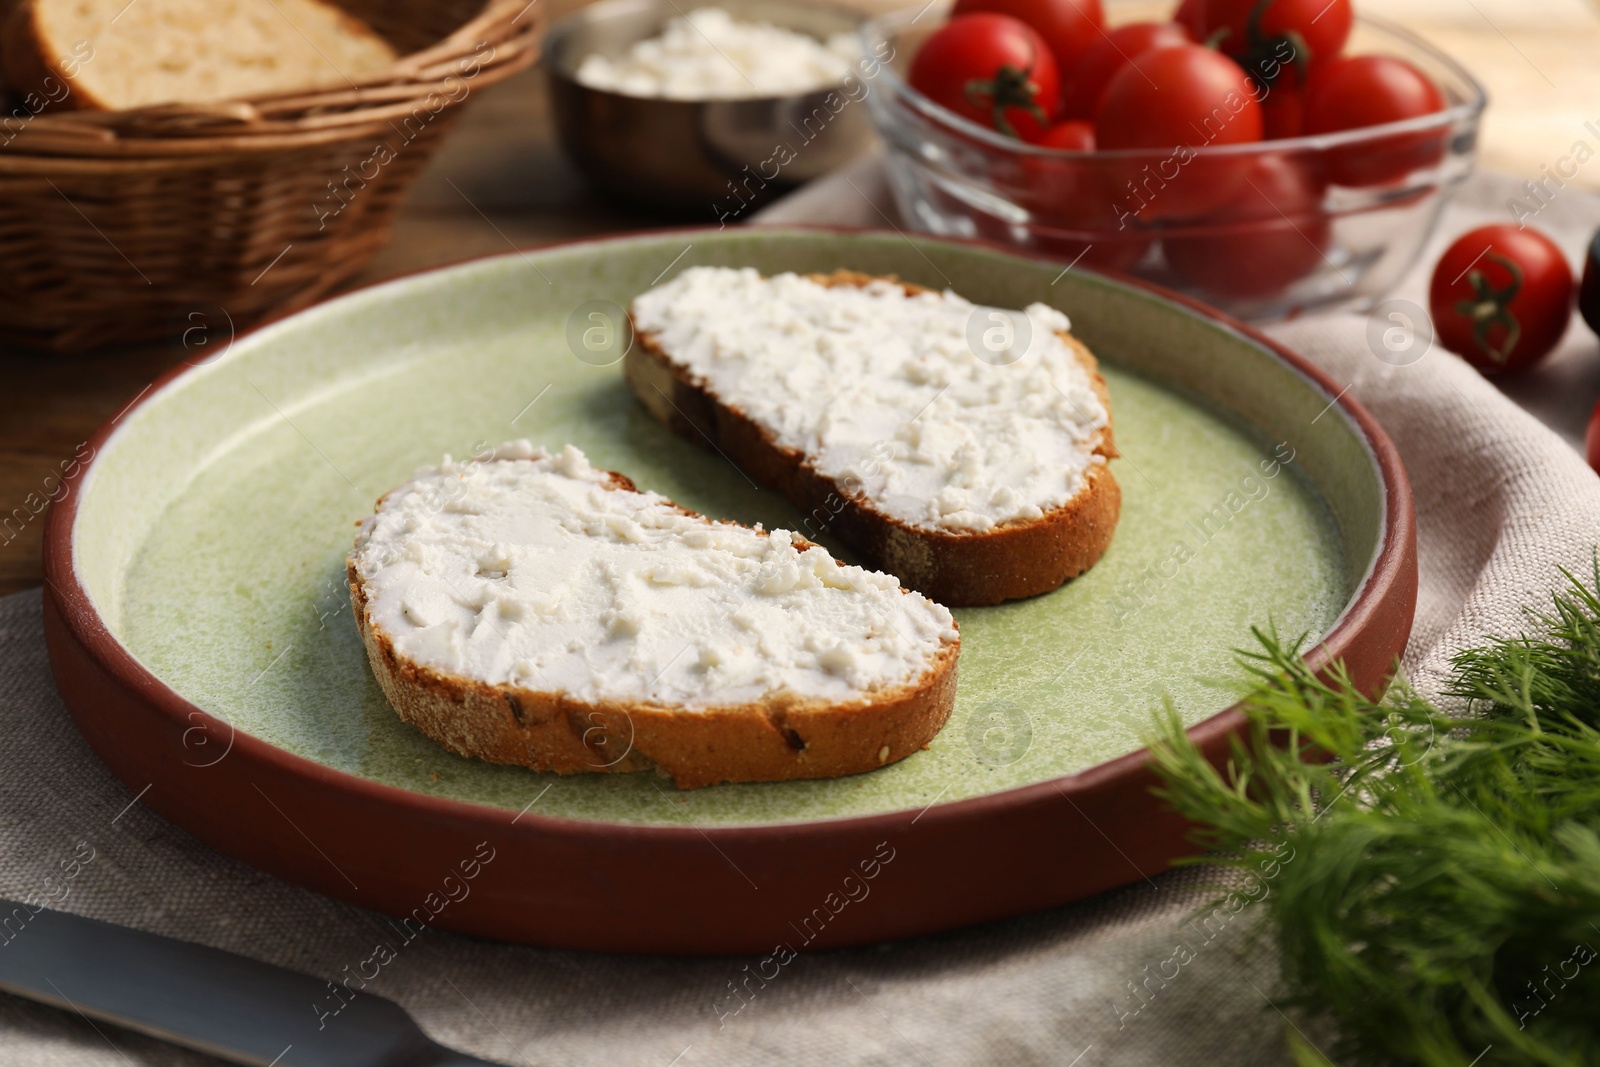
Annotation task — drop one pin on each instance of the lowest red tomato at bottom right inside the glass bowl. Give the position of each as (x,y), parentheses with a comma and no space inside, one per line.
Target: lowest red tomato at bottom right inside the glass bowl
(1270,236)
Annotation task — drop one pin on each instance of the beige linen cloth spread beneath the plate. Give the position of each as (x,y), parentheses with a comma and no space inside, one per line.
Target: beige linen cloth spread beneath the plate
(1503,503)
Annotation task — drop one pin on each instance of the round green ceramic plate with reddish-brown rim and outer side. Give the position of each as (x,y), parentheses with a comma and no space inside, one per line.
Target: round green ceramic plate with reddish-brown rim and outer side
(202,633)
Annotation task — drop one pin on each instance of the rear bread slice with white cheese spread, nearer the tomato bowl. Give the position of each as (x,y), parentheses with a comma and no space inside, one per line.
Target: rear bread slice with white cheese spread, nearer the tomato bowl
(958,447)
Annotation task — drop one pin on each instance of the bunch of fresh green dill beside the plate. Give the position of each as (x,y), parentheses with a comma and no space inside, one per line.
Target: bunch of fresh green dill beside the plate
(1441,905)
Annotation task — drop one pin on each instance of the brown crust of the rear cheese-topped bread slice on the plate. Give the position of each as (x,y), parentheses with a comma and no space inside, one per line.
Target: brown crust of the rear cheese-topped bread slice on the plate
(1012,561)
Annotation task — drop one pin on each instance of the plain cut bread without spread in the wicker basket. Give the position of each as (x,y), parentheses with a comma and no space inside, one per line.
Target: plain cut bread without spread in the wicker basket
(118,55)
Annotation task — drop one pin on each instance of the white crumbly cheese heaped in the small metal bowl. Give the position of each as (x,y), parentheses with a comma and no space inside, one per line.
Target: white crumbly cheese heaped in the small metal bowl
(710,55)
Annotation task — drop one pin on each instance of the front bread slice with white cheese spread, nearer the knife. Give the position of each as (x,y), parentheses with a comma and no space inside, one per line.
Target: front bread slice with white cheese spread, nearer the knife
(529,609)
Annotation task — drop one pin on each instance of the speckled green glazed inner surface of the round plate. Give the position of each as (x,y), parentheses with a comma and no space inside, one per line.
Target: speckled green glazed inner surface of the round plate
(214,527)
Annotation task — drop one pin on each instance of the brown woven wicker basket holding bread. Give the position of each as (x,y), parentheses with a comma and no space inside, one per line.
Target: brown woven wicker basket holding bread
(138,225)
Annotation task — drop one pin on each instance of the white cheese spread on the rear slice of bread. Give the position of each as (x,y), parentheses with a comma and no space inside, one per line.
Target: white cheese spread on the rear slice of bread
(943,414)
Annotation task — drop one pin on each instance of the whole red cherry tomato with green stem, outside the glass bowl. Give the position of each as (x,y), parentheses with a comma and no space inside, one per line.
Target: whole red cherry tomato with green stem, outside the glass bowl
(1502,298)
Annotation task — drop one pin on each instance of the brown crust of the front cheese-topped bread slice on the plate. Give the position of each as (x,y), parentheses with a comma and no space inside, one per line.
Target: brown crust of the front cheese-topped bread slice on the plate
(732,743)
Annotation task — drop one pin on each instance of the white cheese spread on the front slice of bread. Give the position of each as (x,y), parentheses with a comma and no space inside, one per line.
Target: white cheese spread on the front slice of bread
(529,570)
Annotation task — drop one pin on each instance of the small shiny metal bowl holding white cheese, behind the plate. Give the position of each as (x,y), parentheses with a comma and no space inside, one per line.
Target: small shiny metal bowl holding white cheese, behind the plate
(713,161)
